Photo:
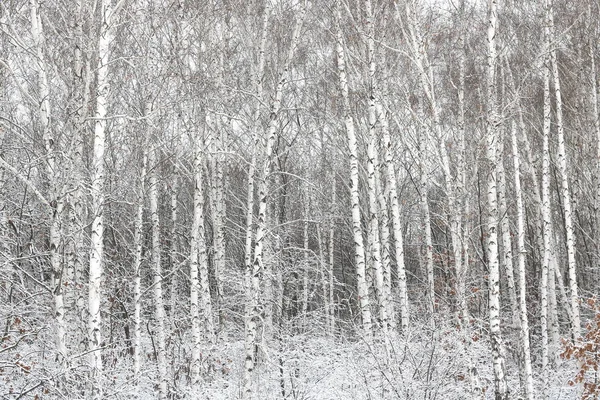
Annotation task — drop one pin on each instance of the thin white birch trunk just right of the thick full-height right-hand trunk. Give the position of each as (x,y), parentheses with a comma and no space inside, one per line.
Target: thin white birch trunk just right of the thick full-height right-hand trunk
(522,253)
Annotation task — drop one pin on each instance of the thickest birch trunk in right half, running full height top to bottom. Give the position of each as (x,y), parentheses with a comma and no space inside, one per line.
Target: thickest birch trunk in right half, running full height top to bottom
(493,124)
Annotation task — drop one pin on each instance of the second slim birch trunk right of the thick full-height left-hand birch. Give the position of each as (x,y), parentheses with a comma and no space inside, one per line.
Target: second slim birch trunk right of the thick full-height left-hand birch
(159,312)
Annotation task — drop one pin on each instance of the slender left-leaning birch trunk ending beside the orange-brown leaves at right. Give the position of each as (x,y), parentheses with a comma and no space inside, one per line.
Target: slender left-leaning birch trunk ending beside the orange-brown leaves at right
(565,191)
